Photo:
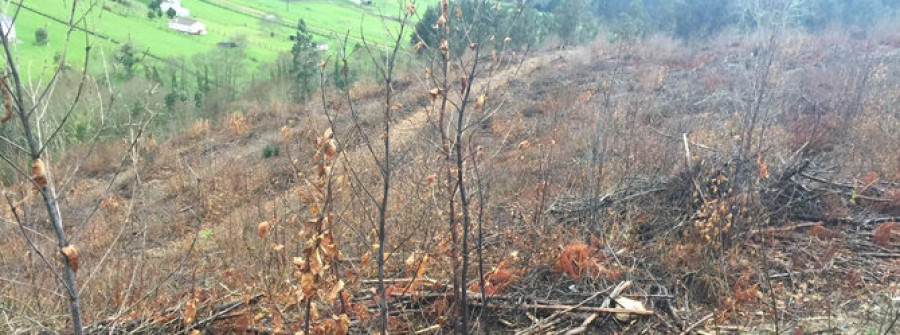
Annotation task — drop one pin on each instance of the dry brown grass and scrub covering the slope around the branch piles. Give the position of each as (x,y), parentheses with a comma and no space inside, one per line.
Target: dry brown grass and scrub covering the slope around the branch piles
(189,228)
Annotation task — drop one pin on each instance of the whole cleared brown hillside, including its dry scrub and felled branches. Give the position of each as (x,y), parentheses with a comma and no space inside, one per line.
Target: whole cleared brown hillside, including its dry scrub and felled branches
(597,166)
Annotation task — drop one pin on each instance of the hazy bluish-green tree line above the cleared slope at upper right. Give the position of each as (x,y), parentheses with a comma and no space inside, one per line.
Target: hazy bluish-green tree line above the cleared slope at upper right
(574,20)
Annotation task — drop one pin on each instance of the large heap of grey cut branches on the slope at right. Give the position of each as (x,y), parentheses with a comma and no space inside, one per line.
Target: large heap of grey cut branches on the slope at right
(800,191)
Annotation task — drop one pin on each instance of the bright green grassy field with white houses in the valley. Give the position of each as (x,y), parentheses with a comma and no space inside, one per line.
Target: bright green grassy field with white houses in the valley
(126,20)
